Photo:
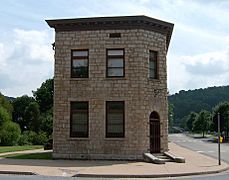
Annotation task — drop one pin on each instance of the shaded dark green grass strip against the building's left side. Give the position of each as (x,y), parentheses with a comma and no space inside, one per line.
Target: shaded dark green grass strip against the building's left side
(46,155)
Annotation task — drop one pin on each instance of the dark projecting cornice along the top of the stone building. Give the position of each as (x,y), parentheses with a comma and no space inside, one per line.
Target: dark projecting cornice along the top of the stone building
(108,23)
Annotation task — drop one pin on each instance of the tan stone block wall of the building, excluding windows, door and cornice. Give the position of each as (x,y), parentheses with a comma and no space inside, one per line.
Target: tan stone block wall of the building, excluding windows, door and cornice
(141,94)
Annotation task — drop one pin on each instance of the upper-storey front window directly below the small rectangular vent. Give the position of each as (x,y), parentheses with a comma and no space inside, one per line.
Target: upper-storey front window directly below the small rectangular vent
(115,63)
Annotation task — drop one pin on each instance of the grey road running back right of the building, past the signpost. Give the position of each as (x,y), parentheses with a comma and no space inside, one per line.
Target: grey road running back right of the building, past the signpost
(201,145)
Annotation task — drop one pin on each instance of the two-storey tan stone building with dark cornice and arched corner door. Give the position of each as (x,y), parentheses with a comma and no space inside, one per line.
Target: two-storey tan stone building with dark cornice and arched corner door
(110,99)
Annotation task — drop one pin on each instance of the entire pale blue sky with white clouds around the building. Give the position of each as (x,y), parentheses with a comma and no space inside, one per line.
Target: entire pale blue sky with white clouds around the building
(198,55)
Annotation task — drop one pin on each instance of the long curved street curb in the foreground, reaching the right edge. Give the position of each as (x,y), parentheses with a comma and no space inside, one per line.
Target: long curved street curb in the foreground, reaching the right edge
(151,175)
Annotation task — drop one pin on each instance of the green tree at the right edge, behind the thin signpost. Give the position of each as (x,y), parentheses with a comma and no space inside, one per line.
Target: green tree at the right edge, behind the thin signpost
(223,109)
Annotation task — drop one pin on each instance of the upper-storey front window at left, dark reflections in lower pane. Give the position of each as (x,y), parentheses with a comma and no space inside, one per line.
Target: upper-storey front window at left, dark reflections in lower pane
(79,64)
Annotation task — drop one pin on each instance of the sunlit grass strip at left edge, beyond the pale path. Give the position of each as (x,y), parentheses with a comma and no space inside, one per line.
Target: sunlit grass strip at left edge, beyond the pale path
(4,149)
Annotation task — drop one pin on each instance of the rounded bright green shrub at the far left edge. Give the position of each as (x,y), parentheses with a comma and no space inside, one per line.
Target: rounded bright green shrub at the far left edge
(10,133)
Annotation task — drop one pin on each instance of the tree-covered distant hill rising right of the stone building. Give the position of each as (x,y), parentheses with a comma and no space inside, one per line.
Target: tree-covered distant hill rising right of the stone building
(196,100)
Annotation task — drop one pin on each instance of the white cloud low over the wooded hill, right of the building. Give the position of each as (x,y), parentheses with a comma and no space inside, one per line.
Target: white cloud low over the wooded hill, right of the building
(198,71)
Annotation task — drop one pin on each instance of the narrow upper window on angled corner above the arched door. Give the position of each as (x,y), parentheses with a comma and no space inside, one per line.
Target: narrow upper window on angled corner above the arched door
(153,69)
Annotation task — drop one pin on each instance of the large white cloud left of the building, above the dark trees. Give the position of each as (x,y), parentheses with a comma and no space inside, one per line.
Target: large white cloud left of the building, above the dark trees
(28,61)
